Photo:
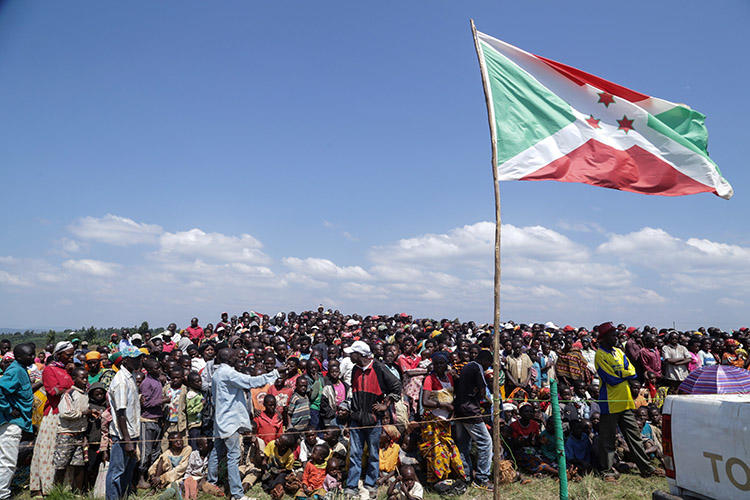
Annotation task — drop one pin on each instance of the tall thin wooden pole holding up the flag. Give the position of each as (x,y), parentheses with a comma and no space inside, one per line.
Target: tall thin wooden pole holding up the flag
(497,448)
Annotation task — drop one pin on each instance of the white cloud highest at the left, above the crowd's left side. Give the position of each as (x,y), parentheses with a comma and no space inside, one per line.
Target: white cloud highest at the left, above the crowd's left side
(115,230)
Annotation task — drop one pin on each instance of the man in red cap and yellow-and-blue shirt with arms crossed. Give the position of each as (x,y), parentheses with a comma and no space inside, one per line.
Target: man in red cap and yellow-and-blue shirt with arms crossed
(617,406)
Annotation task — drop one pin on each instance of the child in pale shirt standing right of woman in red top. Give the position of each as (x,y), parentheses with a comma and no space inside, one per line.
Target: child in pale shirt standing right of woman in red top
(71,435)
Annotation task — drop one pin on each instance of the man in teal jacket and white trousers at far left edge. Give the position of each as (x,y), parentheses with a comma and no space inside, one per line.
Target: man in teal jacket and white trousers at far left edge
(16,401)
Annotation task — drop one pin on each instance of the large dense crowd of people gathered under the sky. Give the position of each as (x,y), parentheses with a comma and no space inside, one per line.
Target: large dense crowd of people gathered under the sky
(325,405)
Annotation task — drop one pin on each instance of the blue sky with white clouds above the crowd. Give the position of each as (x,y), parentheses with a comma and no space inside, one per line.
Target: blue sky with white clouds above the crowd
(140,141)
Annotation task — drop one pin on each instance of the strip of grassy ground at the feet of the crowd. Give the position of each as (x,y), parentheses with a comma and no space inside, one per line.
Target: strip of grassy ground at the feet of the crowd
(629,487)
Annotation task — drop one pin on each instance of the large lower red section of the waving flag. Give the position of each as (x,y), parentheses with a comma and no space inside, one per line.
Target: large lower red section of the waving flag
(635,170)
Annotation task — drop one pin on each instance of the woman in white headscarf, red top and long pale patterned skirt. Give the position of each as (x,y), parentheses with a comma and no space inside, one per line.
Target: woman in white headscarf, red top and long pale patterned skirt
(56,382)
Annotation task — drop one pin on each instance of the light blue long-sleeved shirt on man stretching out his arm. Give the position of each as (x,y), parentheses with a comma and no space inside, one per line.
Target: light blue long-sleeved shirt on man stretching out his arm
(228,388)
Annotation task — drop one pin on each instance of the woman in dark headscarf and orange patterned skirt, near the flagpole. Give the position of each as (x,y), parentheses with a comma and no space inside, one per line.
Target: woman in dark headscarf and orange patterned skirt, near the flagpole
(435,441)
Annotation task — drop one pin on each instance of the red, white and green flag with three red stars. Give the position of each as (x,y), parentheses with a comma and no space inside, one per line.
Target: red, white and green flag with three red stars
(555,122)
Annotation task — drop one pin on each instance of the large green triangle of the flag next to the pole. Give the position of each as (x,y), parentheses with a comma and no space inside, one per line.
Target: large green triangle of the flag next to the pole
(525,111)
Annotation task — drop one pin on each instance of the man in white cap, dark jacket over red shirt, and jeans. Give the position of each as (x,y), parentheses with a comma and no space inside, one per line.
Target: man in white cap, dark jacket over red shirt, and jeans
(372,388)
